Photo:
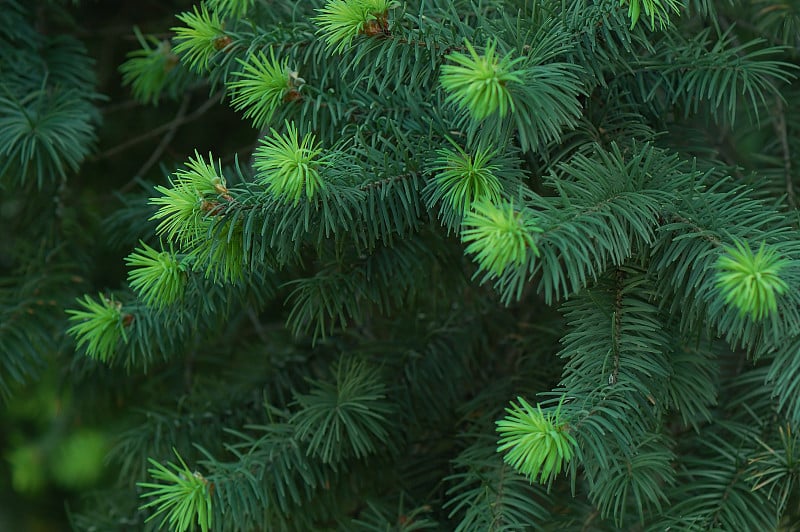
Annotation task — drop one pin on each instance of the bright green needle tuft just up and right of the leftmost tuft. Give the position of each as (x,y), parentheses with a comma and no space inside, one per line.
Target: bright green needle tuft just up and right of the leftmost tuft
(158,277)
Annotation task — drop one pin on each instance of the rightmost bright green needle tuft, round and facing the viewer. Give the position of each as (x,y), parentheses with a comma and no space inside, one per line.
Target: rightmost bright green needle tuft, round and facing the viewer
(751,281)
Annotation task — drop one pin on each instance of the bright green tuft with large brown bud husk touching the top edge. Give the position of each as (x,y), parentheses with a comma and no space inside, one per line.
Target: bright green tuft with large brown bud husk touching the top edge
(341,20)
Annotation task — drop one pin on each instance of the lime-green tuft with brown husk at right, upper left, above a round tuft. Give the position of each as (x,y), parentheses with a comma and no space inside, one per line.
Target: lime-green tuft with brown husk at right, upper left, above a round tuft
(261,87)
